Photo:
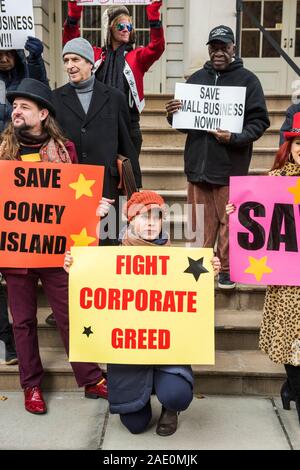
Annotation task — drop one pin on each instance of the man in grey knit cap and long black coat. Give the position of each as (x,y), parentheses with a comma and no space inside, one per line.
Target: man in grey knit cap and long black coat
(94,116)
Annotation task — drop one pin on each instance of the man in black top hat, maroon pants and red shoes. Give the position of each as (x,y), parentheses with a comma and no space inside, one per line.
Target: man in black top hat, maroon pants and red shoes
(34,135)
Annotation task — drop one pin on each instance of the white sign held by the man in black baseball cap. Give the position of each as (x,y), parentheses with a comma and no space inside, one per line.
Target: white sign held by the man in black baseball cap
(208,108)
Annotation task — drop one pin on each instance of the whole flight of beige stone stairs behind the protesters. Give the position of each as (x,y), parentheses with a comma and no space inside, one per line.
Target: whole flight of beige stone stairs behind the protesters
(240,367)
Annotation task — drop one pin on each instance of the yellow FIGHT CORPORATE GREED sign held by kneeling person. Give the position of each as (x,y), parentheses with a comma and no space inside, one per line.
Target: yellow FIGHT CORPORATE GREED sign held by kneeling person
(133,305)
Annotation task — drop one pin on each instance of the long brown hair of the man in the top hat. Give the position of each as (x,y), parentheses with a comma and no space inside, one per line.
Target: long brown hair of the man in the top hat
(9,147)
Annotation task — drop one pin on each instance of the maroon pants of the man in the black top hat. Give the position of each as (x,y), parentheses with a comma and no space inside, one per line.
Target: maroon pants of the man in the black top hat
(22,296)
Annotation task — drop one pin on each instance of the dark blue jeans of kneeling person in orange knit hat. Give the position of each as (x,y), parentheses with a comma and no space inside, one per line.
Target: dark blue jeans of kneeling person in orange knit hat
(173,392)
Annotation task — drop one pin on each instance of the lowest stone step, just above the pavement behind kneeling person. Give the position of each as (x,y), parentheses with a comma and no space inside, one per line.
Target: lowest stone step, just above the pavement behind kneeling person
(235,373)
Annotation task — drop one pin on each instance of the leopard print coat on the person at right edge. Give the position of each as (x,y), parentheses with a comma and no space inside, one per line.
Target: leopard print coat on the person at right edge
(280,329)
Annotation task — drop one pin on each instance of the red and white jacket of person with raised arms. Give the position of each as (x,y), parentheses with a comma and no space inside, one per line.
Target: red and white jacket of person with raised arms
(137,61)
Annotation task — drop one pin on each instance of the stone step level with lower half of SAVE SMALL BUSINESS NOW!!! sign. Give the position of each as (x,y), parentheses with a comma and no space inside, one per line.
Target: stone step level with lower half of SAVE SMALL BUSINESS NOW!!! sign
(157,117)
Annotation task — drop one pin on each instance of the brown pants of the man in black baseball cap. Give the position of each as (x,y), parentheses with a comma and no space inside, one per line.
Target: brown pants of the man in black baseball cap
(216,223)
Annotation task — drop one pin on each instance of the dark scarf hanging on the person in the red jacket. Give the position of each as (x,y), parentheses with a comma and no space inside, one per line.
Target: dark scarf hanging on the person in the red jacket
(112,71)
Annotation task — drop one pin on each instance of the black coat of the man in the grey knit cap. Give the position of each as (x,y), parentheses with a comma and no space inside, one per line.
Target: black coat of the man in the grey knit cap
(101,134)
